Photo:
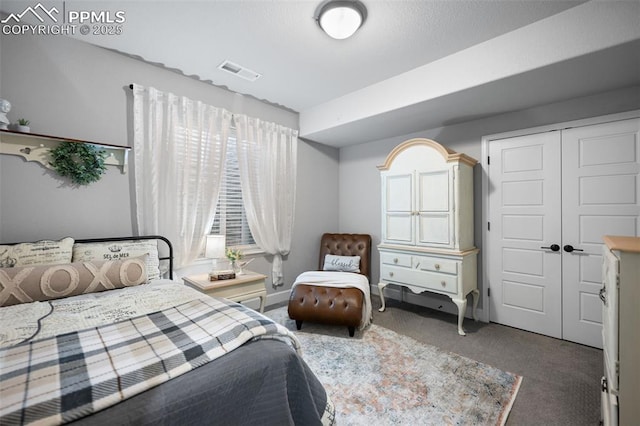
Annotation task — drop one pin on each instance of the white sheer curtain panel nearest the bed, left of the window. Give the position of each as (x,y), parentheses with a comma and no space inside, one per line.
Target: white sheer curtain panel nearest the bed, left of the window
(179,151)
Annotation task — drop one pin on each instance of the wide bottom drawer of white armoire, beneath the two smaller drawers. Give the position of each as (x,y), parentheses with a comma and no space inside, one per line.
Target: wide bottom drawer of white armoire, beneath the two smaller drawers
(429,281)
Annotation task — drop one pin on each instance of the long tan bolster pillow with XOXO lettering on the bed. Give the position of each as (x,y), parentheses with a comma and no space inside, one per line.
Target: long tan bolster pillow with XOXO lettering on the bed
(45,282)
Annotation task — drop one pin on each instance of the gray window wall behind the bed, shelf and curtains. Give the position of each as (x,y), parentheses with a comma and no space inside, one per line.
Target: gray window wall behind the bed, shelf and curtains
(72,89)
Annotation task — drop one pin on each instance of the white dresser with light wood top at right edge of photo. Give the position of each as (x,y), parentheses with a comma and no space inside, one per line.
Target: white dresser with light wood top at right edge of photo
(620,295)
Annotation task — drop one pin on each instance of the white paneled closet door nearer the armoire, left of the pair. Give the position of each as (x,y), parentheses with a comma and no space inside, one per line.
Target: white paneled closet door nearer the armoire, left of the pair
(524,204)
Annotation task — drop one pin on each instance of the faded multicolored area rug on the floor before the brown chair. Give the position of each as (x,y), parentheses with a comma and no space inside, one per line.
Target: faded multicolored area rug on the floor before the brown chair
(380,377)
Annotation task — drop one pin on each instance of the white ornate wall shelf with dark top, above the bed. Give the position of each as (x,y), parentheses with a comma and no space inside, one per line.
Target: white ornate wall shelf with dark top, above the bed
(36,147)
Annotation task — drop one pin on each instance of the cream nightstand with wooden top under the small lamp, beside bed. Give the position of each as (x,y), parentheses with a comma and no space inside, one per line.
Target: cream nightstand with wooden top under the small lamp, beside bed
(249,285)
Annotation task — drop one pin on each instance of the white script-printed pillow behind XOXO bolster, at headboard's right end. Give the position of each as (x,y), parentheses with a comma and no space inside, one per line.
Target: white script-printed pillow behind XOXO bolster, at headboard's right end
(120,250)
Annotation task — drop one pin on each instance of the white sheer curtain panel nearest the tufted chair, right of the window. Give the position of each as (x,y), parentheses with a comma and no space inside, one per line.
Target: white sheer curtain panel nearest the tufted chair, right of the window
(267,159)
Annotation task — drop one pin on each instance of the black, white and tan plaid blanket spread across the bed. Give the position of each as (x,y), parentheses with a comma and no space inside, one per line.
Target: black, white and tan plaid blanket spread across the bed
(63,378)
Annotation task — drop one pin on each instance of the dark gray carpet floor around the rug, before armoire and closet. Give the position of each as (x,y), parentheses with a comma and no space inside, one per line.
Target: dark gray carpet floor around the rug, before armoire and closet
(561,384)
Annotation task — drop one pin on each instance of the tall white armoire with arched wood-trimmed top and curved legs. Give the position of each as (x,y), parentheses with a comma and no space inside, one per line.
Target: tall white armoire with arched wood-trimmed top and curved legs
(427,223)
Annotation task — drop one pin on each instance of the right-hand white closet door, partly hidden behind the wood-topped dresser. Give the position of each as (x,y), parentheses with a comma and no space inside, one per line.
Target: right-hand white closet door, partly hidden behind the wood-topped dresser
(601,196)
